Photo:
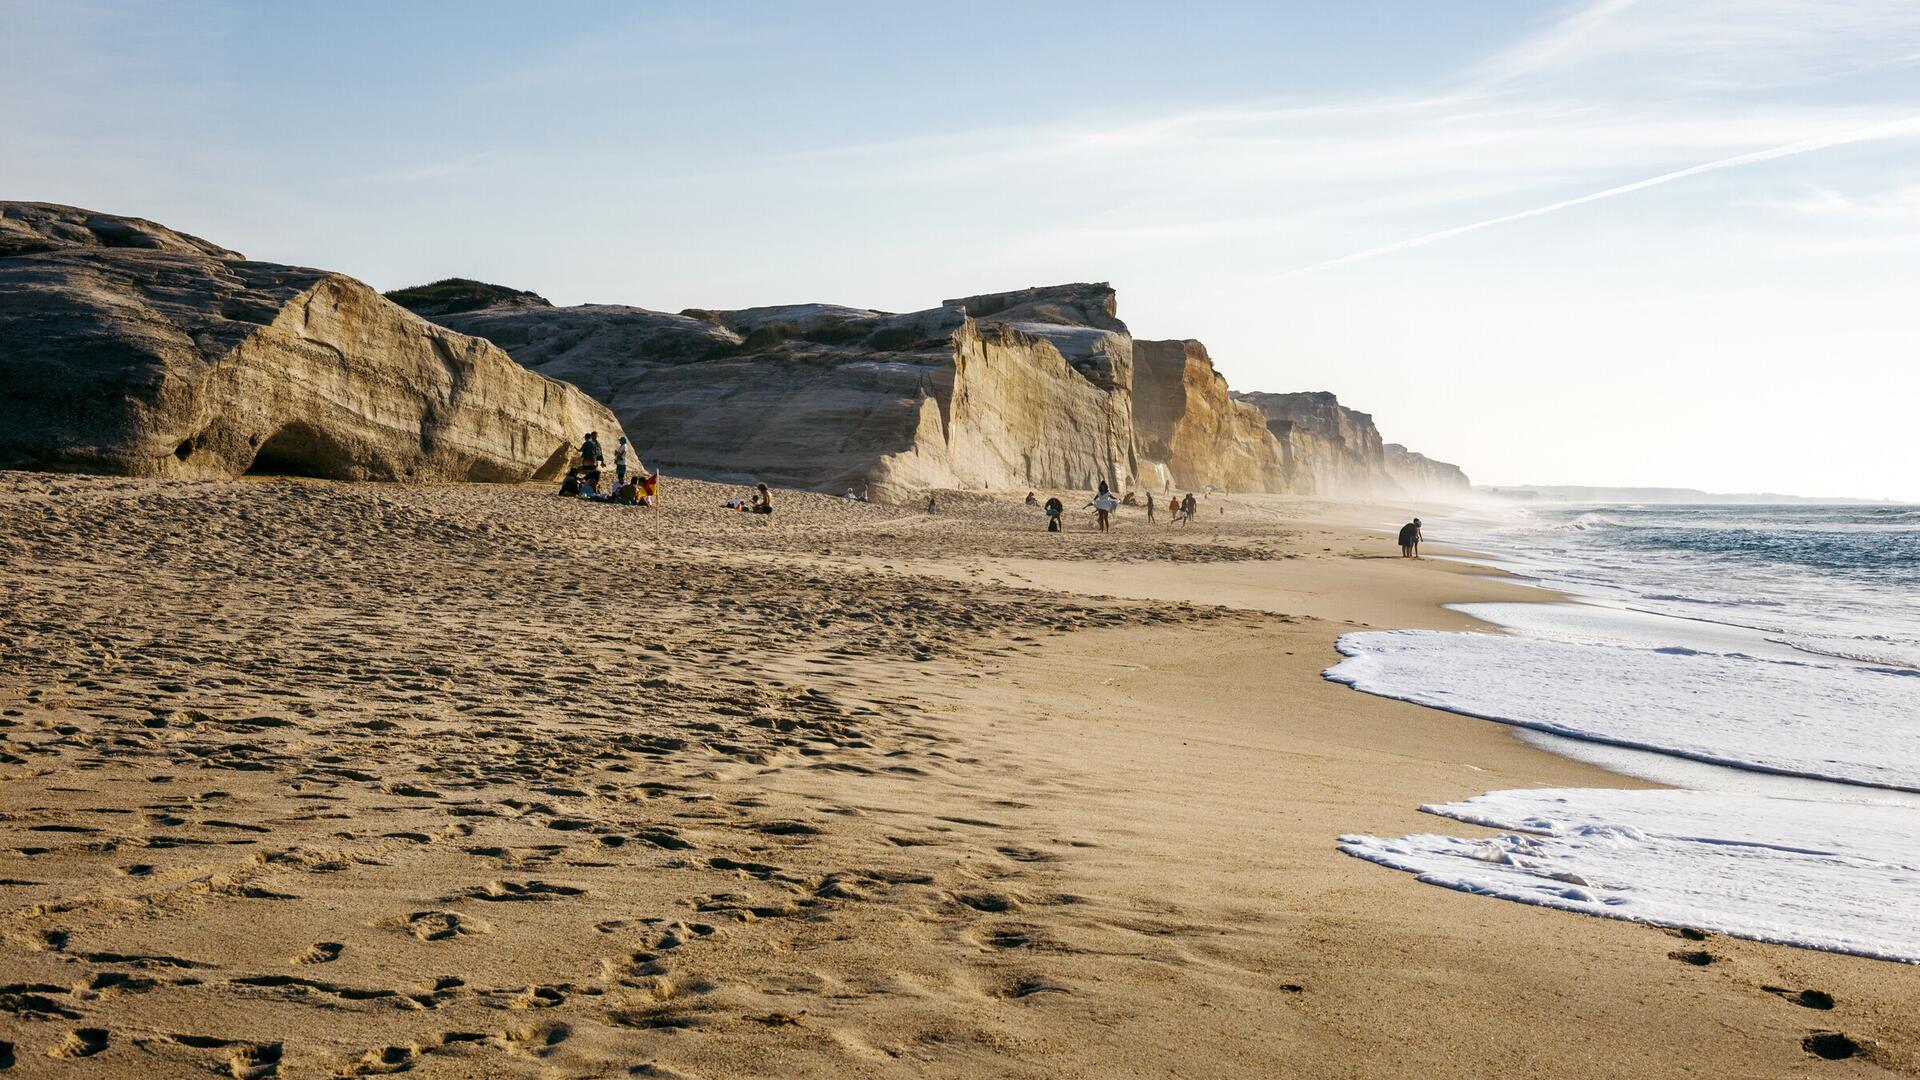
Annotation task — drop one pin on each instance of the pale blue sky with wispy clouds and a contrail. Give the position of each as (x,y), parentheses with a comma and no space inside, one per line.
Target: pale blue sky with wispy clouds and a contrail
(1299,185)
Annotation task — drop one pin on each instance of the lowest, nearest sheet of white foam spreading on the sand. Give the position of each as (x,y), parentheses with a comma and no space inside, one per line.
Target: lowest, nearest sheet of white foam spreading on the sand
(1823,875)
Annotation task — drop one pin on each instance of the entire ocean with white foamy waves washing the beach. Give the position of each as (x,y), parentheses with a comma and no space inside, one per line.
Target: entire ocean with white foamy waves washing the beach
(1764,660)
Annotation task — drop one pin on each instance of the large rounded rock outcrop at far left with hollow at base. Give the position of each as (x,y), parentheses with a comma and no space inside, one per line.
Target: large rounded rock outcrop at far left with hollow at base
(132,349)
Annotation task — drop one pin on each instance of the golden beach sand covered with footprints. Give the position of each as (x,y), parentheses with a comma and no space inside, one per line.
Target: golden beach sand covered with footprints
(310,779)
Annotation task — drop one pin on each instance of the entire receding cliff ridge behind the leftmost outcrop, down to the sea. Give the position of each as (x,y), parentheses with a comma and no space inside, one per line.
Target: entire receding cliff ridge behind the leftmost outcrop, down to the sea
(1030,389)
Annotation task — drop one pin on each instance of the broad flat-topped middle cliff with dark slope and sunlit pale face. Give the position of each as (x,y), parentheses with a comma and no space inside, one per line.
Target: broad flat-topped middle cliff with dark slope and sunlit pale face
(1007,391)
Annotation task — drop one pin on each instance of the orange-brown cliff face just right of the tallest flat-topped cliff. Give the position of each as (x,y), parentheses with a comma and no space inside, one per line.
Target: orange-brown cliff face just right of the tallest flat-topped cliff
(1191,433)
